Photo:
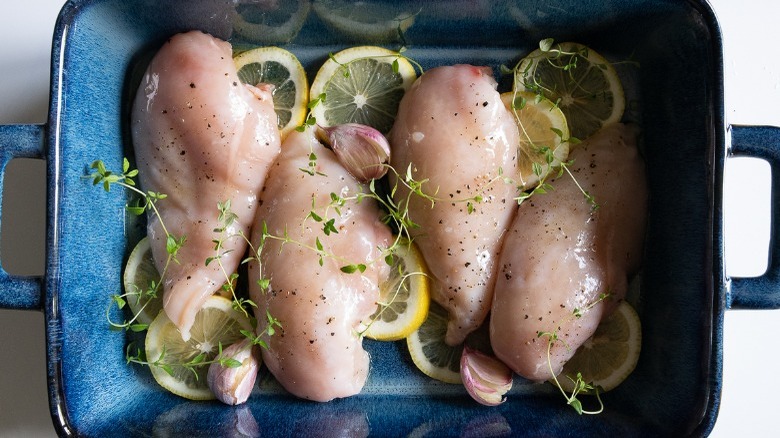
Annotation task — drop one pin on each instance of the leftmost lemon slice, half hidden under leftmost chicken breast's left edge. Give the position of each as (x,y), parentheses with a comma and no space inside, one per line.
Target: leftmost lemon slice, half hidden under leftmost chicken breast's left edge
(140,278)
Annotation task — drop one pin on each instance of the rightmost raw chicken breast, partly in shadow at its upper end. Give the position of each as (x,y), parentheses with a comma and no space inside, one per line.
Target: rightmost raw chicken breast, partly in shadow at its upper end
(561,255)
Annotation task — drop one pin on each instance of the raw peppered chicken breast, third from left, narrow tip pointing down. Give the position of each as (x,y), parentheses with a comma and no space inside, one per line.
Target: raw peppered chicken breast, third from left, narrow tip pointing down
(454,131)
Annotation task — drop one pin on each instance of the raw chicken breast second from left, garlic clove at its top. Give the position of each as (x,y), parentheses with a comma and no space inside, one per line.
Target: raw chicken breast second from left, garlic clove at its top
(317,354)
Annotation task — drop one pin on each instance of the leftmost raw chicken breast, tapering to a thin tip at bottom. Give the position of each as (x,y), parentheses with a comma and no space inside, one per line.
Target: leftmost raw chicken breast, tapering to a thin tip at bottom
(201,137)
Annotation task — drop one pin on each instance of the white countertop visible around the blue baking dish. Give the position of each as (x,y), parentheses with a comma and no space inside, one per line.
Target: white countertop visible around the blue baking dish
(752,83)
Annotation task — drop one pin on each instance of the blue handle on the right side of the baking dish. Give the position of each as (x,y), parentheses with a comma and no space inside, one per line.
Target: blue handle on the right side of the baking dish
(760,292)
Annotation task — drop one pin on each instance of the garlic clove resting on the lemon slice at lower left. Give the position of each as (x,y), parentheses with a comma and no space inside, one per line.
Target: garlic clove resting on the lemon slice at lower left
(232,385)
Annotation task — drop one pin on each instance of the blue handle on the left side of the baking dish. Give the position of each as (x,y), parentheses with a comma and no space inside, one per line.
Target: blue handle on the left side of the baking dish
(19,141)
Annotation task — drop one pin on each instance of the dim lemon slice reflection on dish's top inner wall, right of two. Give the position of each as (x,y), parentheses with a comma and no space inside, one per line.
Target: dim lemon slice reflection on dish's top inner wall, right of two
(366,21)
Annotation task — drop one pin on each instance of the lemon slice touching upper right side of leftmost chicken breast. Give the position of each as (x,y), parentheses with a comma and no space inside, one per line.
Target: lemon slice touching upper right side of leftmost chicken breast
(272,65)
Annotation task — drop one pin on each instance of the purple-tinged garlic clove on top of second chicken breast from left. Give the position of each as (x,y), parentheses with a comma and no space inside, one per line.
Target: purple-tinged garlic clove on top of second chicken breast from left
(361,149)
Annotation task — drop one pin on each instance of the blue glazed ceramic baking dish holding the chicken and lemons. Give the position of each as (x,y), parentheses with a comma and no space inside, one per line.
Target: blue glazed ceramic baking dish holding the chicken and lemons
(100,46)
